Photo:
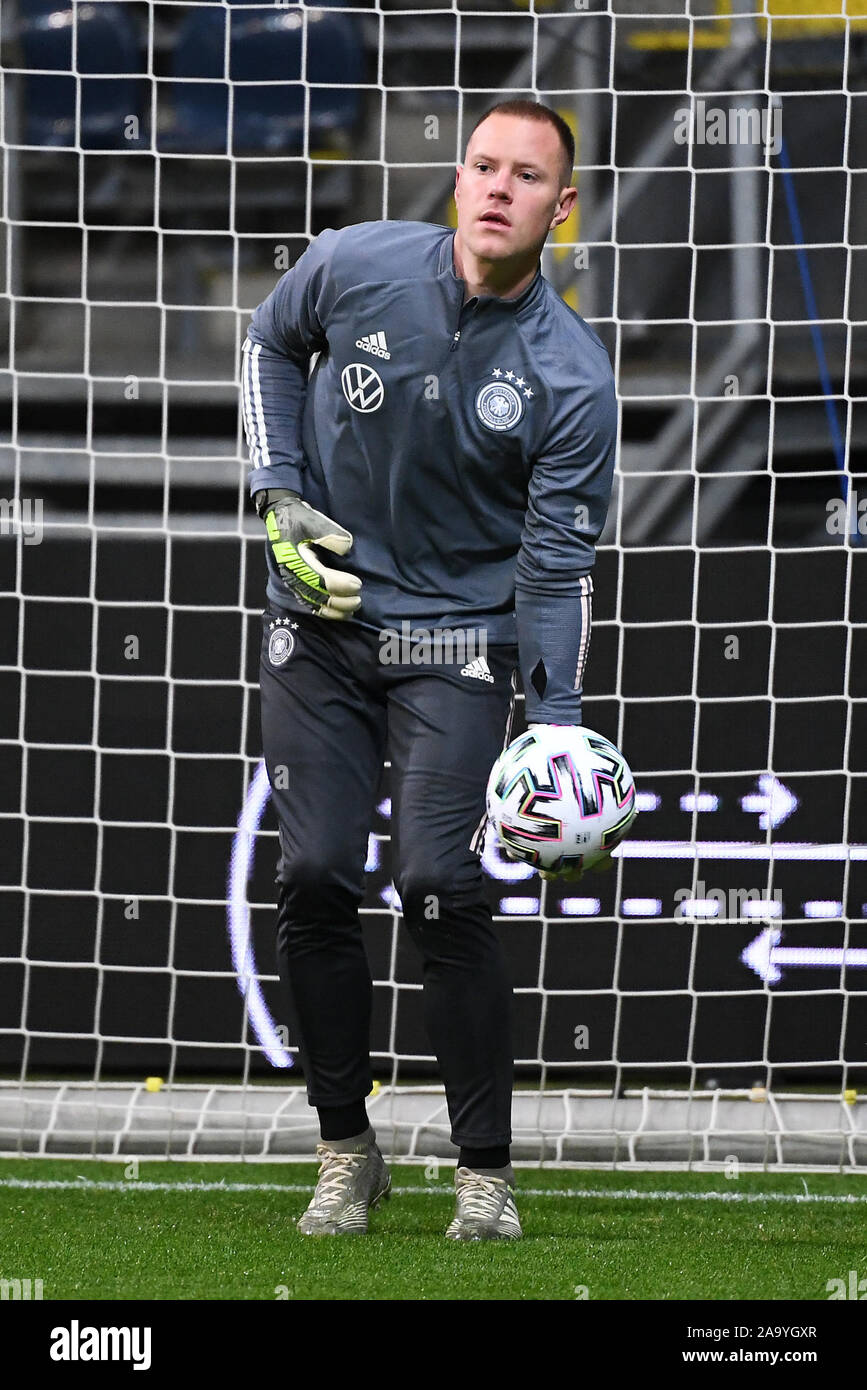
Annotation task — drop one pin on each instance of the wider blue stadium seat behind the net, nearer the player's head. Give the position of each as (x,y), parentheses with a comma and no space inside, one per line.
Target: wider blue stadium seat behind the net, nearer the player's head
(266,47)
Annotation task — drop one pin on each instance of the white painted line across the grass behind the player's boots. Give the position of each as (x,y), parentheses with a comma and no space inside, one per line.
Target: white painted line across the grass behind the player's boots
(436,1191)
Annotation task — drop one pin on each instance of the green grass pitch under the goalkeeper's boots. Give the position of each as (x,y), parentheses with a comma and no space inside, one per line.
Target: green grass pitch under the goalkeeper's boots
(588,1234)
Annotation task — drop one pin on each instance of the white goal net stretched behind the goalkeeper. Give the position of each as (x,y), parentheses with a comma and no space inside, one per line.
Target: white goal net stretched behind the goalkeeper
(163,165)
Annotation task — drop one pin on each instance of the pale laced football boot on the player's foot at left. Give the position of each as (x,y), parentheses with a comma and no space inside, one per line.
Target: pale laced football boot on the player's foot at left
(349,1185)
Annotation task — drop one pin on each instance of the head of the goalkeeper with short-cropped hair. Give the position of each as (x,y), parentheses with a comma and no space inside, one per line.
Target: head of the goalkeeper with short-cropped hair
(512,190)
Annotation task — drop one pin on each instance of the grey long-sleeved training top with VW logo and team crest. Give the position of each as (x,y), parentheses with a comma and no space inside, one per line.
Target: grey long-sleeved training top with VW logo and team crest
(469,447)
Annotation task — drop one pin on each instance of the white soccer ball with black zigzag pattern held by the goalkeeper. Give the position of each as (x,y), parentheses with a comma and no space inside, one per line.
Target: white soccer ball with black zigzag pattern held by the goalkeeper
(561,797)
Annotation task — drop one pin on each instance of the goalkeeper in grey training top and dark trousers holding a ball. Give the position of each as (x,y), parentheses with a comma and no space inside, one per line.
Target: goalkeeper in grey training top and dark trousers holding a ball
(447,466)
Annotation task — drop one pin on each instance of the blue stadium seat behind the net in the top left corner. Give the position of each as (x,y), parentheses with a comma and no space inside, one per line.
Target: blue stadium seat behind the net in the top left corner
(106,45)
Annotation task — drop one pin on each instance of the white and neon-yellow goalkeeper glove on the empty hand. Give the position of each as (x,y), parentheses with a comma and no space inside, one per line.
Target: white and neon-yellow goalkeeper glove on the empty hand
(292,529)
